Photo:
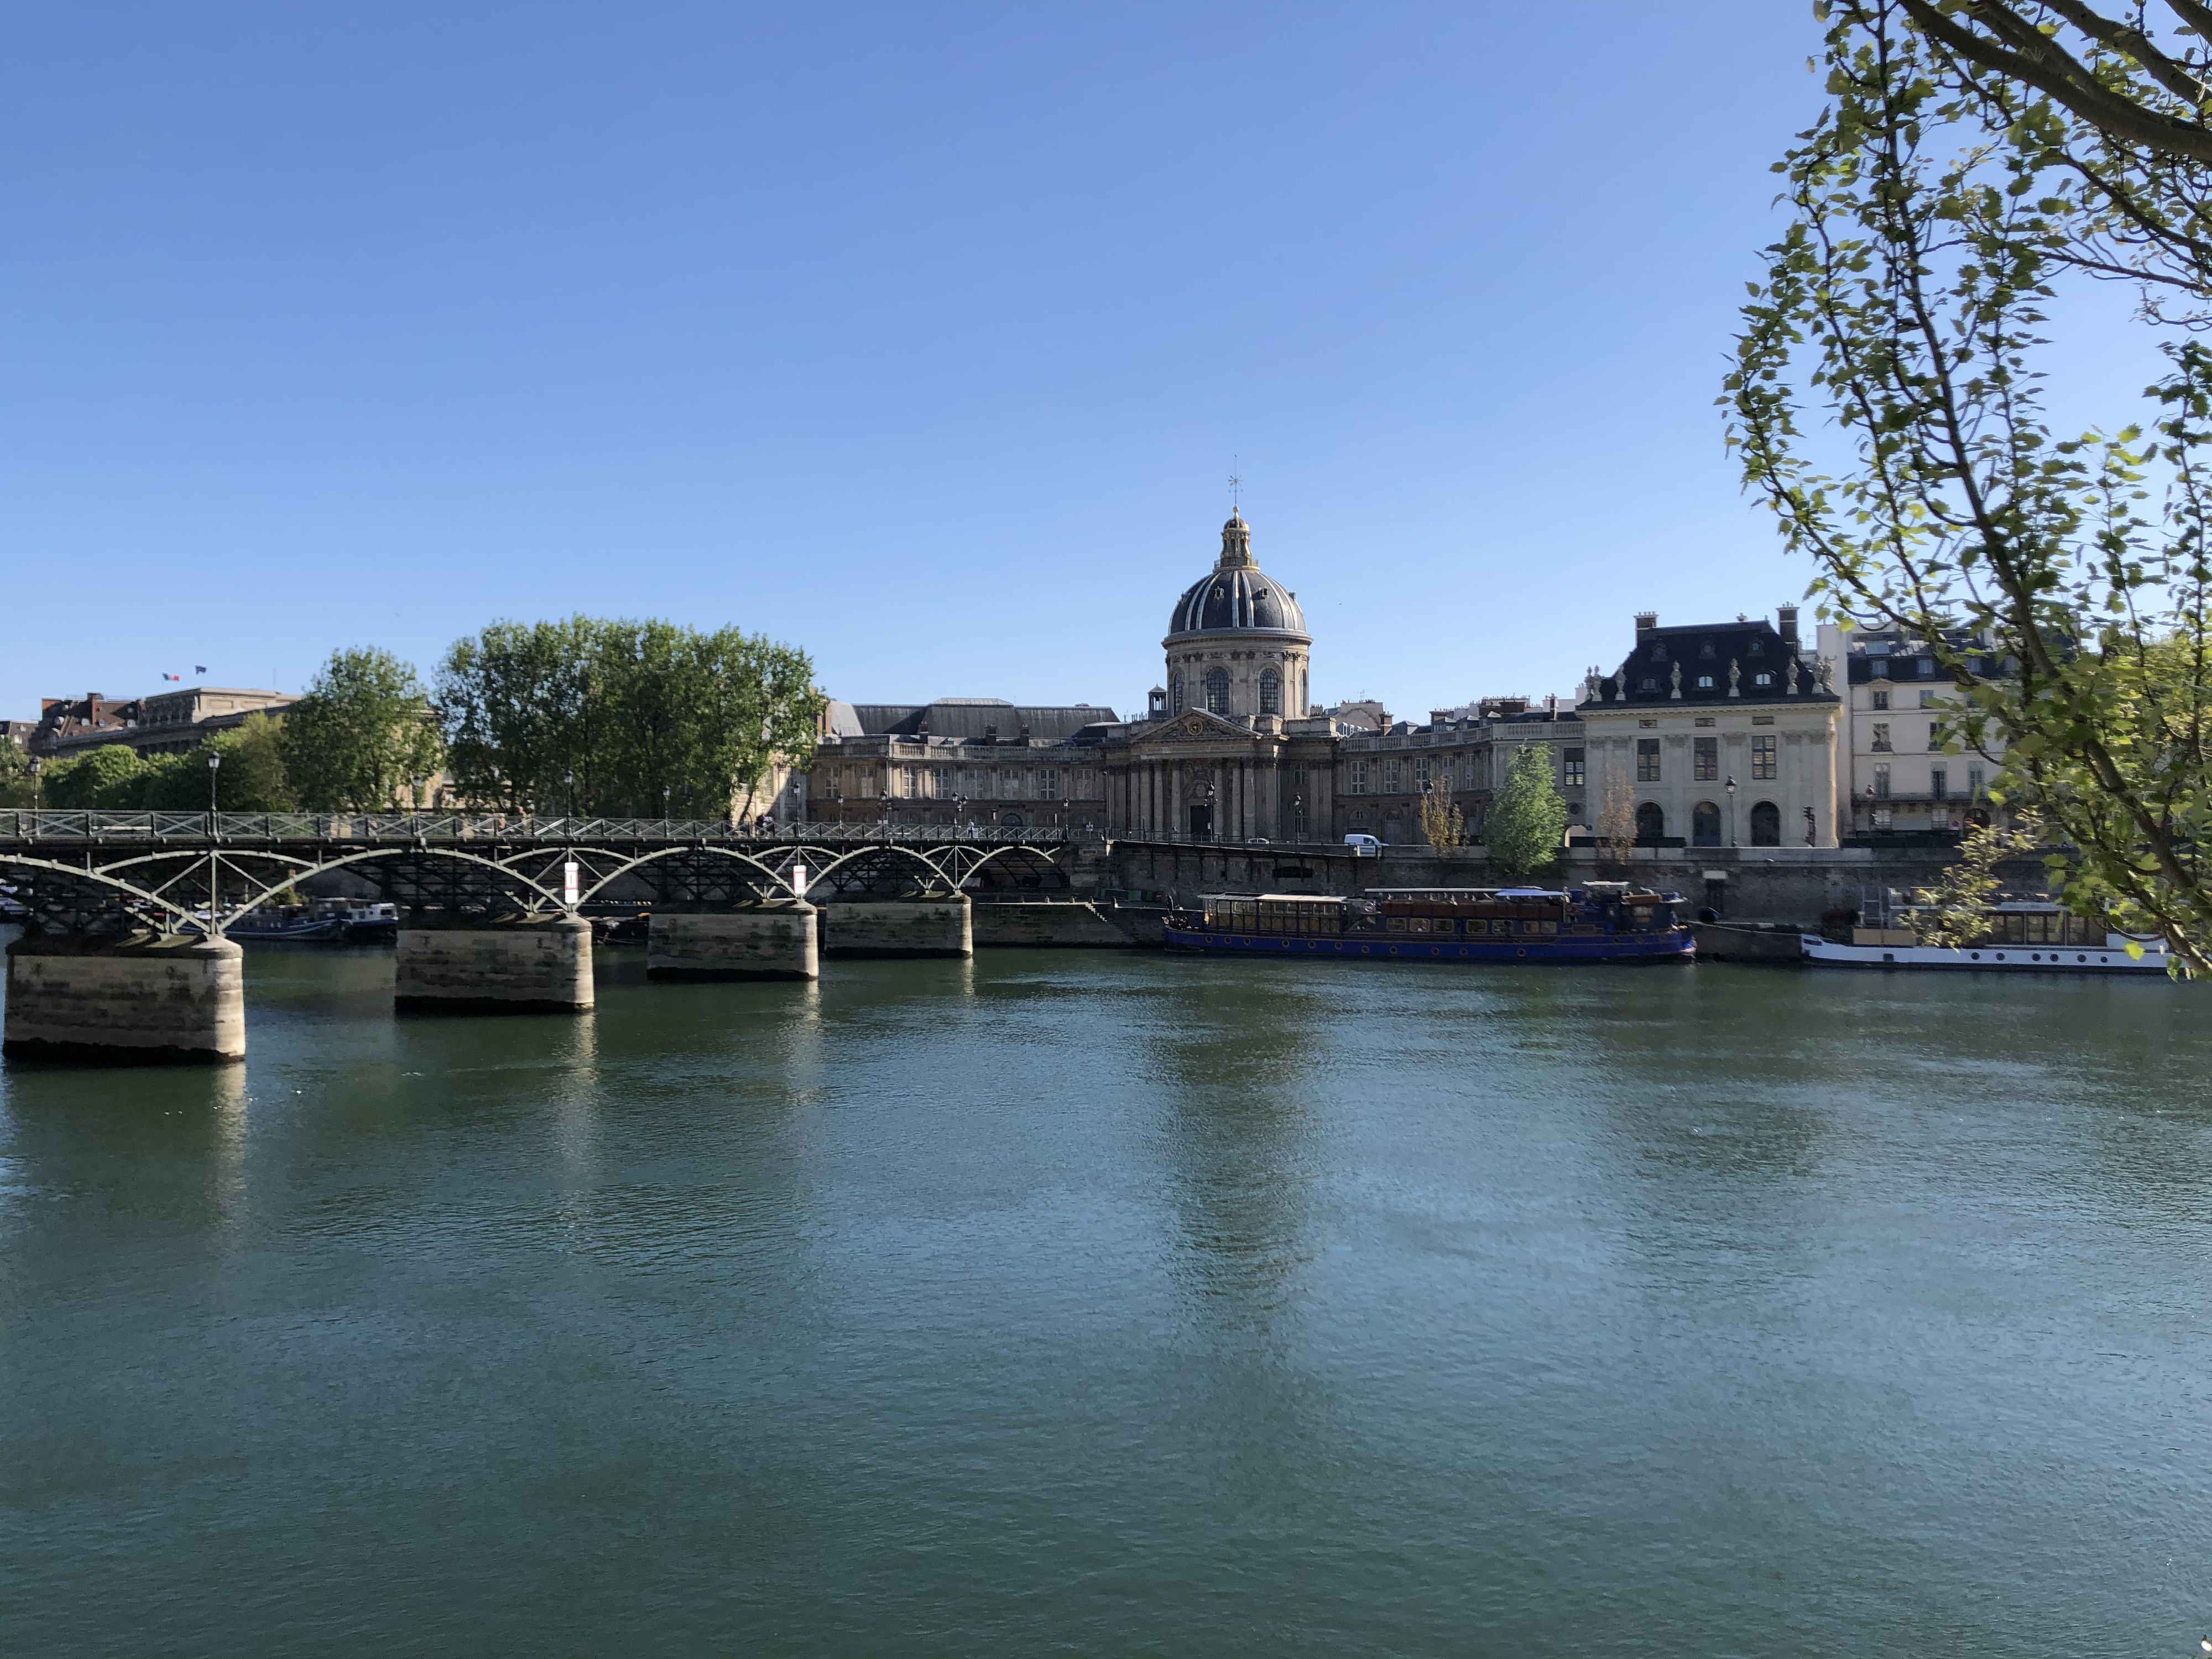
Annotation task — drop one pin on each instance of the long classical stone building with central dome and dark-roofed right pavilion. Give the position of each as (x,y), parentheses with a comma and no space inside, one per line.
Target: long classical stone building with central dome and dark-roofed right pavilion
(1233,749)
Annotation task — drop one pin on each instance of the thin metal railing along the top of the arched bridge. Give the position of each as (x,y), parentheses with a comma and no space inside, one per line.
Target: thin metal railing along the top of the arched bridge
(448,828)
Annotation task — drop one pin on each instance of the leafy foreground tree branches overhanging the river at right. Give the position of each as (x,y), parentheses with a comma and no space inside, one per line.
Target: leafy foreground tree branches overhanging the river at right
(2060,578)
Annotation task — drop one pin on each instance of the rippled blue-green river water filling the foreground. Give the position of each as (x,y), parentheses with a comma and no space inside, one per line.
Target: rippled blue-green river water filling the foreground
(1123,1306)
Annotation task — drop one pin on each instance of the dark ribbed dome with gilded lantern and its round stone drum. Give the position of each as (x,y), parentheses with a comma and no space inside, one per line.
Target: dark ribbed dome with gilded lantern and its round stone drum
(1238,643)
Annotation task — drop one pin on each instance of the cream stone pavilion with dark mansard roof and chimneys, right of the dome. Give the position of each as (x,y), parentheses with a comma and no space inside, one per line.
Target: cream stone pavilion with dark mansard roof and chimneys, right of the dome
(1715,735)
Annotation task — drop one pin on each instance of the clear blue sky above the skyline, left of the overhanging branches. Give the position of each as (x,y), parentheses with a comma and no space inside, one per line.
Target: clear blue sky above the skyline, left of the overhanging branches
(924,337)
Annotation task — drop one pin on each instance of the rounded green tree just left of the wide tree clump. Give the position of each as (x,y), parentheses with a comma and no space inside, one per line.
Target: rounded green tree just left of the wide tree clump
(362,735)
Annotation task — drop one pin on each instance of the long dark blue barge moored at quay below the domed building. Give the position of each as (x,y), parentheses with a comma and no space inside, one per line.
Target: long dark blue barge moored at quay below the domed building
(1600,924)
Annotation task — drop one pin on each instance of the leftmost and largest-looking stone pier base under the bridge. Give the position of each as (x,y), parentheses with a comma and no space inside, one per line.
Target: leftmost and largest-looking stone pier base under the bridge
(143,1001)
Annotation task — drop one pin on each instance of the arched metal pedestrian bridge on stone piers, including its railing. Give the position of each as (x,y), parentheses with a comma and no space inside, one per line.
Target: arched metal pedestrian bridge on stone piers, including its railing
(127,912)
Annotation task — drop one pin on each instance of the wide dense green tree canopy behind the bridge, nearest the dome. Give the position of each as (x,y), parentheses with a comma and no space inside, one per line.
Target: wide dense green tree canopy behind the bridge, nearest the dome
(643,716)
